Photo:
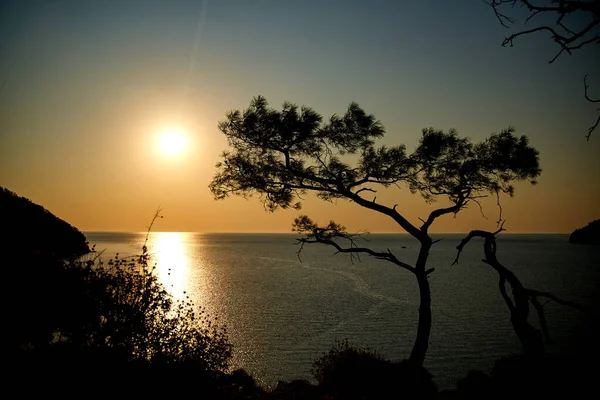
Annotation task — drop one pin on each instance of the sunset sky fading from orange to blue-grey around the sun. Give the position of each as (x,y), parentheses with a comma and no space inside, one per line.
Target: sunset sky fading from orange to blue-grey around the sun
(86,86)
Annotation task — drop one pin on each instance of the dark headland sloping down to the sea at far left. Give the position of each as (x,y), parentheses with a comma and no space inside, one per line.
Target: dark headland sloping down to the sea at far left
(28,228)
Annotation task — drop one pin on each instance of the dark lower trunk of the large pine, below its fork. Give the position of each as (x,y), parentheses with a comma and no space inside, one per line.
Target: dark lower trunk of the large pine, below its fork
(417,355)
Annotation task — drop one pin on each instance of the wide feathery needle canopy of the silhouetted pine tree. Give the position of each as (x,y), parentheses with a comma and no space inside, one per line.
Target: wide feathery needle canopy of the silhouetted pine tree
(282,155)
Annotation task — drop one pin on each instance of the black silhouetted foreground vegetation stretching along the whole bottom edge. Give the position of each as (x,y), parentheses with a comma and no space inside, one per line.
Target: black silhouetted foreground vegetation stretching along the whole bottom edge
(82,326)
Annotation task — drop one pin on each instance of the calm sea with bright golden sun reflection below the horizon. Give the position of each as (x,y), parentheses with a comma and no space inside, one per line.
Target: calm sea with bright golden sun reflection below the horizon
(282,312)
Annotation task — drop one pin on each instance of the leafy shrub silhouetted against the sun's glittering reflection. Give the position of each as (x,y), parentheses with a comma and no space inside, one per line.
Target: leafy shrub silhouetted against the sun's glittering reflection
(137,316)
